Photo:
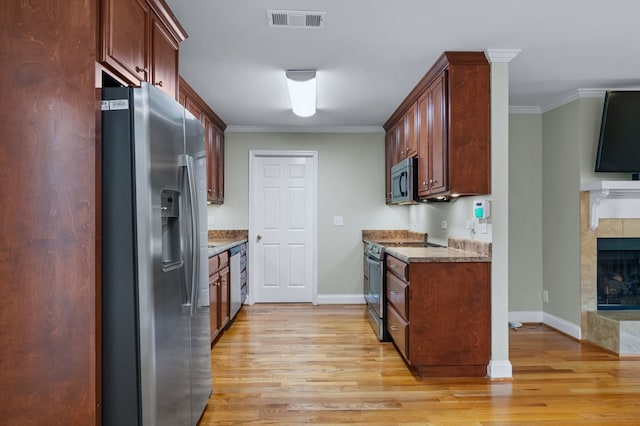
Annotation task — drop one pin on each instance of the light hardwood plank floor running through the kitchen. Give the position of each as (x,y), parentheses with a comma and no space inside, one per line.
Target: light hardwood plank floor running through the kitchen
(301,364)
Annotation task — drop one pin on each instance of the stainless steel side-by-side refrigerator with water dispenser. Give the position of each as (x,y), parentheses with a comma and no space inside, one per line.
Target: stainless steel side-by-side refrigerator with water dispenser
(156,365)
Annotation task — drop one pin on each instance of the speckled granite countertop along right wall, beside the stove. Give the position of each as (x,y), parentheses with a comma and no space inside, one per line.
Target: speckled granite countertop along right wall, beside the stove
(414,247)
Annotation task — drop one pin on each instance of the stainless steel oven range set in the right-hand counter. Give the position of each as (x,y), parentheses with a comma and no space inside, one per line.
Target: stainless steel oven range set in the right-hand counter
(374,291)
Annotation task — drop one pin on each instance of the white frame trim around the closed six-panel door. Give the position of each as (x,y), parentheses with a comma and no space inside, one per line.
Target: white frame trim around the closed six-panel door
(313,156)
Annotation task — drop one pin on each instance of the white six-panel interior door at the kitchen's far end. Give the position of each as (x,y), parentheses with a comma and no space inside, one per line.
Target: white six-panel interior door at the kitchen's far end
(282,231)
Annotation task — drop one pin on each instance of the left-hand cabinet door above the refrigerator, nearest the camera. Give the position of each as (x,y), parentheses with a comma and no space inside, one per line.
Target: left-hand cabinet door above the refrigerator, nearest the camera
(124,38)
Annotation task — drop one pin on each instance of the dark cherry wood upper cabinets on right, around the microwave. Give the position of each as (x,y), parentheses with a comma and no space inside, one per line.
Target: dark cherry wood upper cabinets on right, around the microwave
(453,126)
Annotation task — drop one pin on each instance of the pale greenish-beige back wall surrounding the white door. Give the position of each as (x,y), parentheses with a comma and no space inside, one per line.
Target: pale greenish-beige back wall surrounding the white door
(350,184)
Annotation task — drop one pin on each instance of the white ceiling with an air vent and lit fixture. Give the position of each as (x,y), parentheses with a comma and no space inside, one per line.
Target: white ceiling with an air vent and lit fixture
(371,53)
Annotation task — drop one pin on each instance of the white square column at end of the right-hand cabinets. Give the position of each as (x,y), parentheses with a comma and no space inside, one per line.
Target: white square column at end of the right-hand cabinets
(500,366)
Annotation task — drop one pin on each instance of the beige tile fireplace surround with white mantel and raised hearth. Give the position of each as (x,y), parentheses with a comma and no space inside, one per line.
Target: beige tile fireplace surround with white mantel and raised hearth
(617,331)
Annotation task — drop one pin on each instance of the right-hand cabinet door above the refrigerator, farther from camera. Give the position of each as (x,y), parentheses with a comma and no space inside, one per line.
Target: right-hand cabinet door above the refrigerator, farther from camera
(164,60)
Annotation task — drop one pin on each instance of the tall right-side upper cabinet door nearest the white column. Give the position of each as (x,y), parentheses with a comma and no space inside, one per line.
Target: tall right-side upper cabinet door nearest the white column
(438,135)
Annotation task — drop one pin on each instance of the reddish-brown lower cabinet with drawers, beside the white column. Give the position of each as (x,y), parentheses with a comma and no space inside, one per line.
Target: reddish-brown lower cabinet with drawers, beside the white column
(439,315)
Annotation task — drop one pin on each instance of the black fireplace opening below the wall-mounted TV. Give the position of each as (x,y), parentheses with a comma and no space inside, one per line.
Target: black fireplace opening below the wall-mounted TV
(618,279)
